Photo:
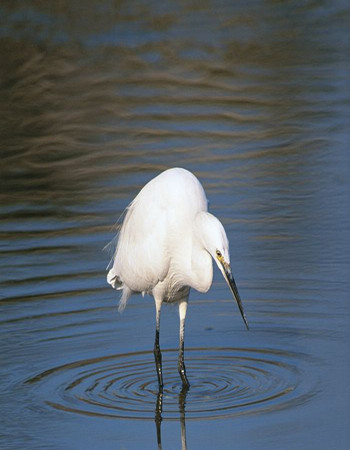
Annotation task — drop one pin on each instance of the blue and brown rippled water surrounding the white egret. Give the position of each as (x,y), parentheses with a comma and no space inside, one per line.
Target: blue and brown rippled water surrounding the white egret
(254,99)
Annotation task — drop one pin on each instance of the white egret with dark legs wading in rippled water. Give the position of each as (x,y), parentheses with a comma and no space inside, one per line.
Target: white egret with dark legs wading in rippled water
(166,245)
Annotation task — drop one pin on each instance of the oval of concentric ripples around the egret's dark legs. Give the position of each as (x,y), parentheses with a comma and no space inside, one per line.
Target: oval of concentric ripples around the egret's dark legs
(224,382)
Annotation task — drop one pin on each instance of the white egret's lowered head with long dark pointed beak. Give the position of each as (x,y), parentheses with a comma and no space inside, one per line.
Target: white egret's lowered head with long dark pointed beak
(216,243)
